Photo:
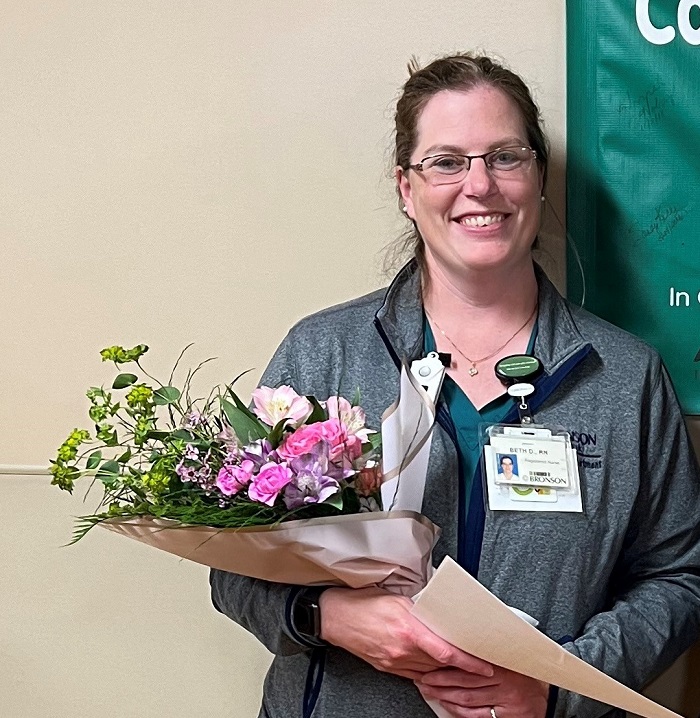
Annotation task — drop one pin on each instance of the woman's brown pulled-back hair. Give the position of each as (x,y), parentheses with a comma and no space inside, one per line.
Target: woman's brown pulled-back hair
(461,73)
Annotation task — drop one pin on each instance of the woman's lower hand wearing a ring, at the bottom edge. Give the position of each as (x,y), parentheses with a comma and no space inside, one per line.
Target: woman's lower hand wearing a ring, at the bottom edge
(465,695)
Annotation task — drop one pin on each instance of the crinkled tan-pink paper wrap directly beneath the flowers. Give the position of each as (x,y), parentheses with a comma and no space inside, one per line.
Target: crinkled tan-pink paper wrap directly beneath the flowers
(391,550)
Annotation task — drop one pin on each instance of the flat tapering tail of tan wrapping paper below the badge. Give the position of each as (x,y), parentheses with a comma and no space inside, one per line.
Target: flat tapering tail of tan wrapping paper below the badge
(459,609)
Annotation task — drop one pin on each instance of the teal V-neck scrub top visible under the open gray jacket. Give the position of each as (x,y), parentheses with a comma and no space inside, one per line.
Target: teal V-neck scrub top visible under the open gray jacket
(467,418)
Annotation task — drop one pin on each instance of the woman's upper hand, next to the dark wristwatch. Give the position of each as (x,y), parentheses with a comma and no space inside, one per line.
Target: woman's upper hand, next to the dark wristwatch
(378,627)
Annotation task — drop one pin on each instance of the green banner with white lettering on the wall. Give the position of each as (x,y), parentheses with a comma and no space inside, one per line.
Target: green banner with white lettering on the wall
(633,173)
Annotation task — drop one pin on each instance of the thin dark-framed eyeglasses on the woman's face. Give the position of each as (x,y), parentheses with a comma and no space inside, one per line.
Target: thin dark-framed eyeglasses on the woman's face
(448,168)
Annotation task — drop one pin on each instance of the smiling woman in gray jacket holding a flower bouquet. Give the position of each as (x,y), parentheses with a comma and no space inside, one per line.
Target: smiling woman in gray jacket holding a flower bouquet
(618,584)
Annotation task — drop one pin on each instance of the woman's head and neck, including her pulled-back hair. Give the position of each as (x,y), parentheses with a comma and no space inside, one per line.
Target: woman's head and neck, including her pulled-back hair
(472,160)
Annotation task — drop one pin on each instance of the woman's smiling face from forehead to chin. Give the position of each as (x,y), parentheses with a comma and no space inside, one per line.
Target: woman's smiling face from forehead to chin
(481,222)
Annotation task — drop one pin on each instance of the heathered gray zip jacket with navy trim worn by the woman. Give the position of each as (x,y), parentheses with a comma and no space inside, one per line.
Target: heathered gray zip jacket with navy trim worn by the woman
(618,585)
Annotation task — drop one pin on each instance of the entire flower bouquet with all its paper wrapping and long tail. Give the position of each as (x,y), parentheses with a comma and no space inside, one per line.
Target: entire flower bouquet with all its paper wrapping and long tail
(291,491)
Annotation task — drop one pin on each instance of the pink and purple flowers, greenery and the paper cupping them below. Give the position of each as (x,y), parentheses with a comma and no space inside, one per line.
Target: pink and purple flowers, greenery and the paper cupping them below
(287,490)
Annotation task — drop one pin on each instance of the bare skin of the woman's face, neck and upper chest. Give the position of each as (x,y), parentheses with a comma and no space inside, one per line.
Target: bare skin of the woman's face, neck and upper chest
(479,227)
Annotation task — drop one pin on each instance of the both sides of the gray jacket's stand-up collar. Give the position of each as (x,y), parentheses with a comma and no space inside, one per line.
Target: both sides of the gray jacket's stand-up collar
(400,320)
